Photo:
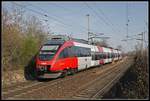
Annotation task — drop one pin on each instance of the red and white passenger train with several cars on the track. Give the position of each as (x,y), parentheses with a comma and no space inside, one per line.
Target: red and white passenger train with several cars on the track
(58,58)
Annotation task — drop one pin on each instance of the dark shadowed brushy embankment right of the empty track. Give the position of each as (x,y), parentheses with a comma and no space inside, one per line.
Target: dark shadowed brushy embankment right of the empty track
(134,84)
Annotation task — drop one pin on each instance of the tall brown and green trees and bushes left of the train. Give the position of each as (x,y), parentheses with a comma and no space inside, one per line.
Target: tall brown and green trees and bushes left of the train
(22,37)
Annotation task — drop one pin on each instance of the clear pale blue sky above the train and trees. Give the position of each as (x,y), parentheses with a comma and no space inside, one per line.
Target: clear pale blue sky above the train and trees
(110,19)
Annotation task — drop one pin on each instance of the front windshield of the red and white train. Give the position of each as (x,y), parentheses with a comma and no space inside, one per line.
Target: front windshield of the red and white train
(47,52)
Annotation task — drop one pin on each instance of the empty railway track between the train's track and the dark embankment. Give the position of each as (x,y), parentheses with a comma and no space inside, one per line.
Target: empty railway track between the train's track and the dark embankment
(93,91)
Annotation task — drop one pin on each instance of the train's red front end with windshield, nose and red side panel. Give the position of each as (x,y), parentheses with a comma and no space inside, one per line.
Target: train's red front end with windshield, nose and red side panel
(49,63)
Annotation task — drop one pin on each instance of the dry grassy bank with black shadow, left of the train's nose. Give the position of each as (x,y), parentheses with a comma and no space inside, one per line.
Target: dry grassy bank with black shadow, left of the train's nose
(15,77)
